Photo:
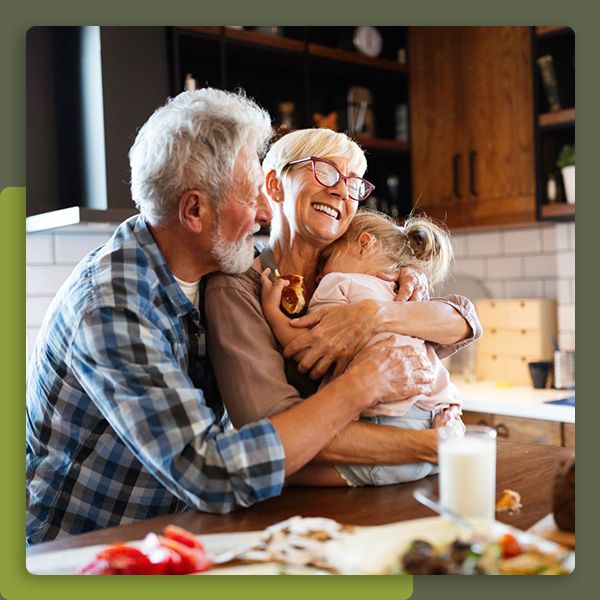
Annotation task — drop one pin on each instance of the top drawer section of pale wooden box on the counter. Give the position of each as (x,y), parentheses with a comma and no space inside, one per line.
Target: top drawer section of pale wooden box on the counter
(528,342)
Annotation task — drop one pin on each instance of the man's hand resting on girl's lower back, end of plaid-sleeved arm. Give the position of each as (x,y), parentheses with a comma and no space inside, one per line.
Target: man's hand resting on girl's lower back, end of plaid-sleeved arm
(391,372)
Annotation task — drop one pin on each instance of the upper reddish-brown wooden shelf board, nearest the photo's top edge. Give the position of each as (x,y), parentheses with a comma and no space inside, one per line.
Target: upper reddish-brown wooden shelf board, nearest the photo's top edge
(283,43)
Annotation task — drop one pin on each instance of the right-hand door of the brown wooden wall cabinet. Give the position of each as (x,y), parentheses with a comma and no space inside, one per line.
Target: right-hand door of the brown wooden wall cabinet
(498,92)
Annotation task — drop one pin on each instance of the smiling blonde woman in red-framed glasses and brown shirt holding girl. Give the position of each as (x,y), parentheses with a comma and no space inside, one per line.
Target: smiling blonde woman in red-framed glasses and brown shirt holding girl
(314,179)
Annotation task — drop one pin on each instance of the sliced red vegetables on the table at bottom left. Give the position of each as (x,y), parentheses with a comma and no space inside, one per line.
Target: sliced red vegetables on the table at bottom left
(176,552)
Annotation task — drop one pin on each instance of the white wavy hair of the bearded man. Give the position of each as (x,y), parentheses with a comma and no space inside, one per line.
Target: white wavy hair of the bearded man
(192,143)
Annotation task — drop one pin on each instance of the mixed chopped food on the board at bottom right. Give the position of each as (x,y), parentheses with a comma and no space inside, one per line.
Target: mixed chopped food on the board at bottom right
(505,556)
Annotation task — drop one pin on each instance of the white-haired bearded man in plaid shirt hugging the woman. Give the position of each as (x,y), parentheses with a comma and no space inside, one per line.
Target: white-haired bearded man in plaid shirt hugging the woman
(118,424)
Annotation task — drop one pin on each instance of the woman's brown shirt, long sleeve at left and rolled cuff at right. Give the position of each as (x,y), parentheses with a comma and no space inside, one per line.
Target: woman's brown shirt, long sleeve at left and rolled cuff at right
(254,379)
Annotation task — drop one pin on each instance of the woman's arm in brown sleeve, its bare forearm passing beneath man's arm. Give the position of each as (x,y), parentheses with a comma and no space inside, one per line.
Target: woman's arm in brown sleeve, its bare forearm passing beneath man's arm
(251,376)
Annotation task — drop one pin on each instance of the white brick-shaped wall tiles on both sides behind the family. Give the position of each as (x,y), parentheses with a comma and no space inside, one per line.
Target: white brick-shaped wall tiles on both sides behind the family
(537,262)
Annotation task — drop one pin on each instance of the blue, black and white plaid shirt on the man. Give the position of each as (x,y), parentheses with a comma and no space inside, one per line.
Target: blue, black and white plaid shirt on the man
(116,429)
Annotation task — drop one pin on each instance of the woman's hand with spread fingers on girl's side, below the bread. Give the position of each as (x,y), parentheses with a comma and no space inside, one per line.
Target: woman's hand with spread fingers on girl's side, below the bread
(336,335)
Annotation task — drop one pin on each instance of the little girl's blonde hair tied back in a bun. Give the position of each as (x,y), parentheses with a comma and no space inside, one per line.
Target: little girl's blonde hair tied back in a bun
(420,242)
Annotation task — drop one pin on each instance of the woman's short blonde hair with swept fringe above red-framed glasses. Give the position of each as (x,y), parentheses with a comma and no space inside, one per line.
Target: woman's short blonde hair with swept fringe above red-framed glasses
(323,143)
